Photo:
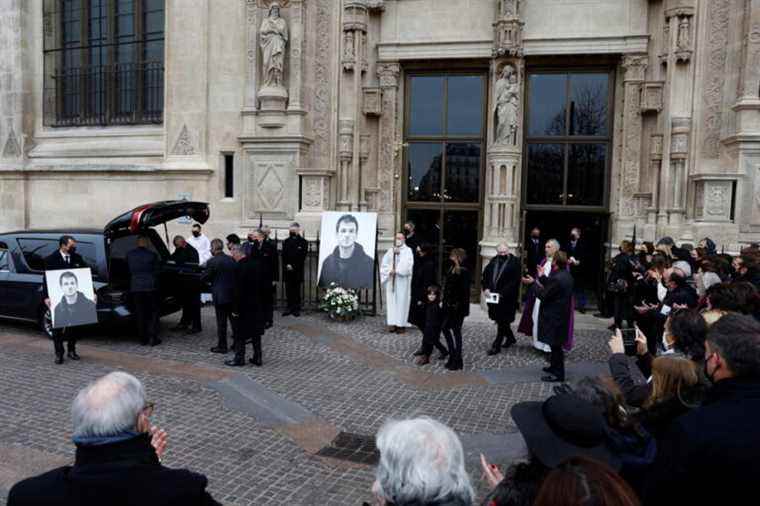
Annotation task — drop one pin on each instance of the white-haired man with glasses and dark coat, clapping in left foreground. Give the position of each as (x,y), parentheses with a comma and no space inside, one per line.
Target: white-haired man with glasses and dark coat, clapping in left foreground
(118,456)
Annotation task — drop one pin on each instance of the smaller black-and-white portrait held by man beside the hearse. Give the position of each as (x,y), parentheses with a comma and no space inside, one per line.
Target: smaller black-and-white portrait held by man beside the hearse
(72,297)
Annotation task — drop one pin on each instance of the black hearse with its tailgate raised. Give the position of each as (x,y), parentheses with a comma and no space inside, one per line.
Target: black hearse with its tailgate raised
(22,256)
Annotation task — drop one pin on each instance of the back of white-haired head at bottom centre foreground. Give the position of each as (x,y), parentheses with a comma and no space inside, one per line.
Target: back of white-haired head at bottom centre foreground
(421,463)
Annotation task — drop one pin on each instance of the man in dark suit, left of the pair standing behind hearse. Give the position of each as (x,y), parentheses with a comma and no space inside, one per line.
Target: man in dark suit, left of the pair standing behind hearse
(220,274)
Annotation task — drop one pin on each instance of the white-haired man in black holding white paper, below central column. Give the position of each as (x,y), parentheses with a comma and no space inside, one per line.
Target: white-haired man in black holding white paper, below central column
(502,276)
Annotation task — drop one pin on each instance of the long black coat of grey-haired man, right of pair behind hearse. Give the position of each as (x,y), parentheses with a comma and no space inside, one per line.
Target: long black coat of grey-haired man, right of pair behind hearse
(252,293)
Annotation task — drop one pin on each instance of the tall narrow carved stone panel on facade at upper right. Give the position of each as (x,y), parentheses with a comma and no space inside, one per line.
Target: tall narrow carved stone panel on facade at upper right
(712,98)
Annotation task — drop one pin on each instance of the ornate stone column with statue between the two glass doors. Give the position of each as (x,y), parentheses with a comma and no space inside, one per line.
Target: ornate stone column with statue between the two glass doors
(505,131)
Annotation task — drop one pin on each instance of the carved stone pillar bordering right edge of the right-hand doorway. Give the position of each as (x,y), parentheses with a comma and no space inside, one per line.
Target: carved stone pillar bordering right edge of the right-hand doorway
(635,66)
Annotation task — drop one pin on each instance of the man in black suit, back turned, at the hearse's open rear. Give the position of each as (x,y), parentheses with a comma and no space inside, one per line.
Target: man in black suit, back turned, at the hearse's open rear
(144,265)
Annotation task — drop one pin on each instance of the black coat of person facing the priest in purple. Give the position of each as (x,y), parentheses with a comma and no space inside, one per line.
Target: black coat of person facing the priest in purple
(555,292)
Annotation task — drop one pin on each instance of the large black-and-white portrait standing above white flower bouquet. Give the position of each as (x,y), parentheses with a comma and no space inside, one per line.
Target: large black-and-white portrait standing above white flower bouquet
(347,249)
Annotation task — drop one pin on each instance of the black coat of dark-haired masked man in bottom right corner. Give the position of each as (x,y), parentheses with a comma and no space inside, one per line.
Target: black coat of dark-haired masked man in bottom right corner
(710,455)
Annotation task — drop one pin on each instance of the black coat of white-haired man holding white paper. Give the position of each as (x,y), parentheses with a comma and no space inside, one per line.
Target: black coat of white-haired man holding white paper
(503,277)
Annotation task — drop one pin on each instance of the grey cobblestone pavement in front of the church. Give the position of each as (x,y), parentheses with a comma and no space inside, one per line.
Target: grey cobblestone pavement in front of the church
(347,376)
